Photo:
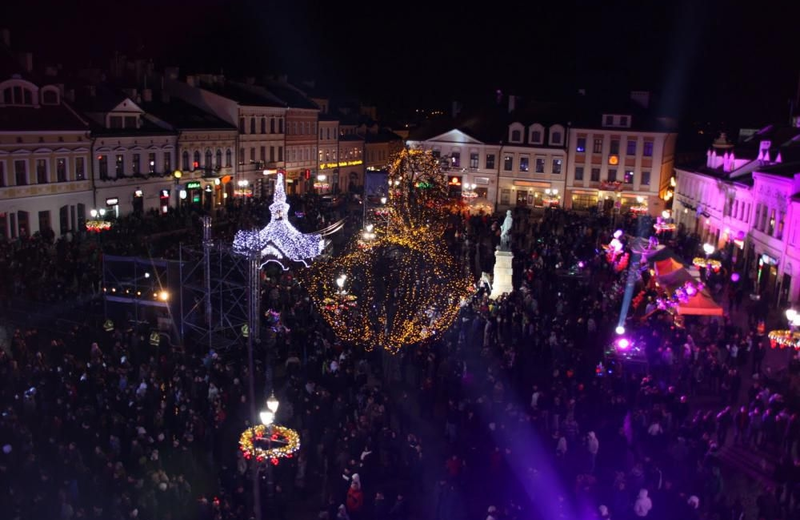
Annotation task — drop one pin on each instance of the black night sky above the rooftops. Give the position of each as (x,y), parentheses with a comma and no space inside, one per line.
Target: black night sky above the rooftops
(705,58)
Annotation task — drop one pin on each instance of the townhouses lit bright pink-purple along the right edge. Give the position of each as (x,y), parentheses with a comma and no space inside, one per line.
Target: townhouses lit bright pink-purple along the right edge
(744,201)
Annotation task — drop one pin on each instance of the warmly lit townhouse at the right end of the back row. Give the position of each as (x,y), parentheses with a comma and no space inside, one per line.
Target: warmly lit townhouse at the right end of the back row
(619,158)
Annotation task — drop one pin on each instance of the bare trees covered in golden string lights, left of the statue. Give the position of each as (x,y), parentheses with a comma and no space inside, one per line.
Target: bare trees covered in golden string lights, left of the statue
(404,286)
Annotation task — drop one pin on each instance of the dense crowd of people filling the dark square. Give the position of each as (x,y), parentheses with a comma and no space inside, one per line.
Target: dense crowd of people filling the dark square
(515,412)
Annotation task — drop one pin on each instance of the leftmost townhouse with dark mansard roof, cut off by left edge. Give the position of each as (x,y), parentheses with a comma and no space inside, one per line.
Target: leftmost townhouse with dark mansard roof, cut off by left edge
(45,159)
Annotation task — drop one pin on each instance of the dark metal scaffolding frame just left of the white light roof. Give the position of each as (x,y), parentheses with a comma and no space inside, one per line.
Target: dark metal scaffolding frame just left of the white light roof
(215,285)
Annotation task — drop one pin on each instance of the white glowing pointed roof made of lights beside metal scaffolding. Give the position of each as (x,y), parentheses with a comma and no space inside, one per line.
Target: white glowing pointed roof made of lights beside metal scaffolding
(279,241)
